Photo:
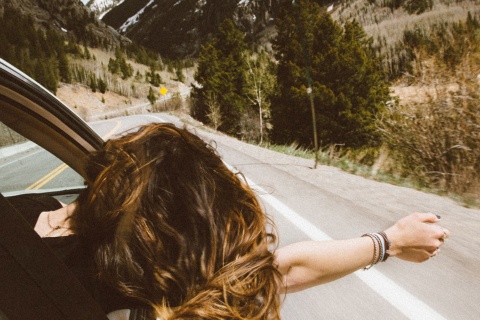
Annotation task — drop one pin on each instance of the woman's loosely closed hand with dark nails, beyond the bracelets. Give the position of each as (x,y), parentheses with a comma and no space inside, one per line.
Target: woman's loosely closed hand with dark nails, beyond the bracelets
(416,237)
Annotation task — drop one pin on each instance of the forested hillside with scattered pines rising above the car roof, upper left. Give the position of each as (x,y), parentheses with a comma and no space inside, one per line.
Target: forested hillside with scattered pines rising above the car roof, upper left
(55,51)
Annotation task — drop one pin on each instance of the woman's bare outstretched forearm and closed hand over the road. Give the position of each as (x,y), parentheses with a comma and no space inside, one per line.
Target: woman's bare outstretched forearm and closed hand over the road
(414,238)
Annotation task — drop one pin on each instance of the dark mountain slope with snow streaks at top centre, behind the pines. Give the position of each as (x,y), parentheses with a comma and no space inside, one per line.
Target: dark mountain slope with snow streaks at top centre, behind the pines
(176,28)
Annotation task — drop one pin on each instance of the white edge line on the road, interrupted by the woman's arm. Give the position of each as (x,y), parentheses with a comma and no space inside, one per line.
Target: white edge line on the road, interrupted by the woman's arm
(397,296)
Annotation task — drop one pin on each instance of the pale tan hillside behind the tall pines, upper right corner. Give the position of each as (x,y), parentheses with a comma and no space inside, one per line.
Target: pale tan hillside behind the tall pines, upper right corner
(391,23)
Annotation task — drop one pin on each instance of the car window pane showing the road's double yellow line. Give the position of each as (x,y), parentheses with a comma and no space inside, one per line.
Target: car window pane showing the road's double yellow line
(25,166)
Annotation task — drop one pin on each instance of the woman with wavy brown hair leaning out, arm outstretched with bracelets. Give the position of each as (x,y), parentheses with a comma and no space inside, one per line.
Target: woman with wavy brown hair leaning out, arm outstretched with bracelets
(173,231)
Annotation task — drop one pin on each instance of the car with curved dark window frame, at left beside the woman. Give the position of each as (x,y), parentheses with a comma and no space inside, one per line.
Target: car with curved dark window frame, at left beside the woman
(39,137)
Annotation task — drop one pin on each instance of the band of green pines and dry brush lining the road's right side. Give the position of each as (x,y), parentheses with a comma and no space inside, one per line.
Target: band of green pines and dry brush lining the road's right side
(430,144)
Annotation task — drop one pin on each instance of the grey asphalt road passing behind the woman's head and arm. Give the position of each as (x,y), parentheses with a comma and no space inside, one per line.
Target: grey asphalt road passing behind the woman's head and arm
(446,287)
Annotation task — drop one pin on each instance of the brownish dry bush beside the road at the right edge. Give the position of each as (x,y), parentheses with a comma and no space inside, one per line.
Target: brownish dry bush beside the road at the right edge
(438,141)
